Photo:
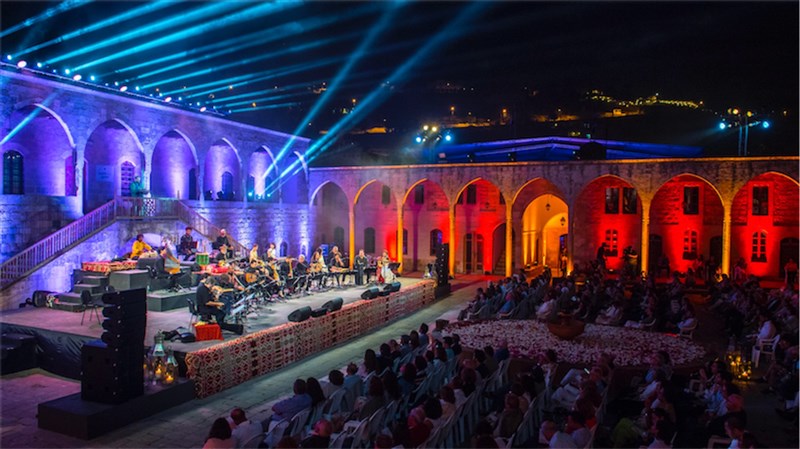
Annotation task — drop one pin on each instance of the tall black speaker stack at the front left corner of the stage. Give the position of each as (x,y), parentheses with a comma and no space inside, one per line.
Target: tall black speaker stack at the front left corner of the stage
(112,368)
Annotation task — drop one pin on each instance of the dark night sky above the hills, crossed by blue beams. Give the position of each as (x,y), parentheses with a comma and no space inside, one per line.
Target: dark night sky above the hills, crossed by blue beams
(724,53)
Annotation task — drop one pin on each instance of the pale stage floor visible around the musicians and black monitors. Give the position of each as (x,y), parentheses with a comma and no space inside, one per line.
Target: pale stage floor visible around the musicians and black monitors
(269,315)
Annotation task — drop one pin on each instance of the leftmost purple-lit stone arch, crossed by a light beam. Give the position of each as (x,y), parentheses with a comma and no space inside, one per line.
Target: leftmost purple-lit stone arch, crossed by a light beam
(46,145)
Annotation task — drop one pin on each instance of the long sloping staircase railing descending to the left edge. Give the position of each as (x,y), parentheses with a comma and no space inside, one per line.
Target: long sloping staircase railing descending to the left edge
(53,245)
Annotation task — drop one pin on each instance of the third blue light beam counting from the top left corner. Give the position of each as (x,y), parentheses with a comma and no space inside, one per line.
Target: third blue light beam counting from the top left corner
(211,10)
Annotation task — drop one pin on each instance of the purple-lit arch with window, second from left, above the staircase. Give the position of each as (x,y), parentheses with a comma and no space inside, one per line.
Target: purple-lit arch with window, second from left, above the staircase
(110,145)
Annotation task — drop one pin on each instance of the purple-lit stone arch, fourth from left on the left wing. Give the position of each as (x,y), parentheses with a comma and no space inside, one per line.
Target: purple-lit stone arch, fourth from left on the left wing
(222,161)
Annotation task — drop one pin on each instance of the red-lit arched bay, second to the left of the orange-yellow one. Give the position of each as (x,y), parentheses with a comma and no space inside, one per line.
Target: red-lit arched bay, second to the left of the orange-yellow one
(426,223)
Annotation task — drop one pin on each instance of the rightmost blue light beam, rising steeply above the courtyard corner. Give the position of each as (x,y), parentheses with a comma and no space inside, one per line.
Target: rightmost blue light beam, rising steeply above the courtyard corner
(381,93)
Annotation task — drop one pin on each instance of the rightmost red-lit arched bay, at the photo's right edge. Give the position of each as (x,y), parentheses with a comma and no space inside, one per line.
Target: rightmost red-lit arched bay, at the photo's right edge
(764,220)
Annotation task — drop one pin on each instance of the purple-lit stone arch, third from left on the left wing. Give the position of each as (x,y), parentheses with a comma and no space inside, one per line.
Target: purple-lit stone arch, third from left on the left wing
(174,167)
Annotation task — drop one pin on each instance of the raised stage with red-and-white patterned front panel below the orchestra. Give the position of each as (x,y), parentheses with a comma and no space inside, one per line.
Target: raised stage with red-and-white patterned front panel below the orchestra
(270,341)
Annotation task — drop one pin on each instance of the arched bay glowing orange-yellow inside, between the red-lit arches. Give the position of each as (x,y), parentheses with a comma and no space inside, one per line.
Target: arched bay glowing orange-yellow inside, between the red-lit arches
(541,216)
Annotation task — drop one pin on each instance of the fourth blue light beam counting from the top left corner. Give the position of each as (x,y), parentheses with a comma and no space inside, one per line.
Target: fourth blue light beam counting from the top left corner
(245,15)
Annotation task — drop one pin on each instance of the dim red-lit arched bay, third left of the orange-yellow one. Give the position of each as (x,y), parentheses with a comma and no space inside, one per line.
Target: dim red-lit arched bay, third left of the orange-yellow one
(375,211)
